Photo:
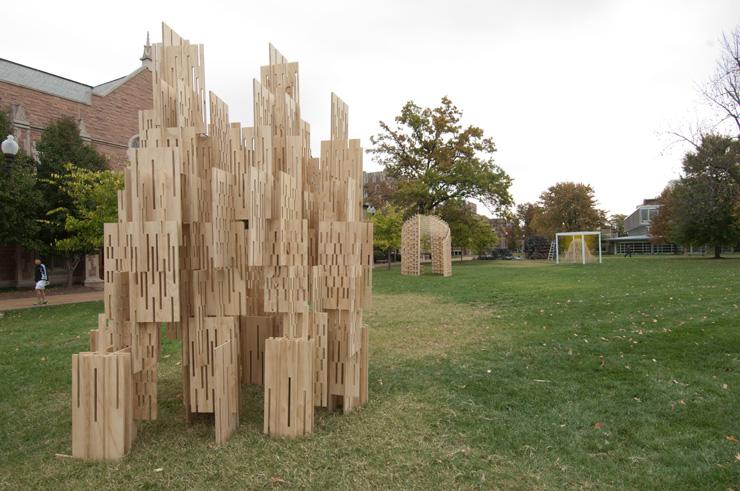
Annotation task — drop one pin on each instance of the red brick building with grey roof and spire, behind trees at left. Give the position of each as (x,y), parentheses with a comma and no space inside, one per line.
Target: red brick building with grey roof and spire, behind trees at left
(107,115)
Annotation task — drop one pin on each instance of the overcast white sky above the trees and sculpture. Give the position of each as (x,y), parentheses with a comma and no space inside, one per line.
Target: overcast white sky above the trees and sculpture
(580,90)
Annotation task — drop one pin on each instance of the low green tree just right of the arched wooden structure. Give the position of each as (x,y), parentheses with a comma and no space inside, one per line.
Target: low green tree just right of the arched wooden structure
(469,230)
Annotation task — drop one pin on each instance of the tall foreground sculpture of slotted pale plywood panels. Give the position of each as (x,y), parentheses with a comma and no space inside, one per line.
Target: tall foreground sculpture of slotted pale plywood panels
(250,251)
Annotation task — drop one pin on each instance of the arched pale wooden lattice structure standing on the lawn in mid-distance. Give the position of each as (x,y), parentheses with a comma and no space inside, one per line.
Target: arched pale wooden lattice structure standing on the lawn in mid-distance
(414,230)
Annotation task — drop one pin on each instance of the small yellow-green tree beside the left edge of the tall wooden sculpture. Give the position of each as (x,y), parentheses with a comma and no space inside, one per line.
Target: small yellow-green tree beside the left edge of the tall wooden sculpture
(94,201)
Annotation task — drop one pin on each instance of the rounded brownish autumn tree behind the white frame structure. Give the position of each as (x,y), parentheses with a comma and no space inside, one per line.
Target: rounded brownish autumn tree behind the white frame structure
(570,207)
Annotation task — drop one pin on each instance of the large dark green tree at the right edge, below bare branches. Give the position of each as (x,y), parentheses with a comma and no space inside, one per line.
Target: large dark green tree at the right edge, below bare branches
(703,206)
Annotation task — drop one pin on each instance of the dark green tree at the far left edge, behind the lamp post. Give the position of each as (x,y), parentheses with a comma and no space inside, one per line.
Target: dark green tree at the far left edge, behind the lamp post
(19,198)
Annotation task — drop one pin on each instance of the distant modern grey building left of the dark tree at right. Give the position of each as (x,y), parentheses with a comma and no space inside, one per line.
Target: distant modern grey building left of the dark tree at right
(637,238)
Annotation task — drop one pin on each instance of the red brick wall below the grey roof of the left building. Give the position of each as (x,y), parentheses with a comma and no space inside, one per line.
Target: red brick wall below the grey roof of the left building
(112,118)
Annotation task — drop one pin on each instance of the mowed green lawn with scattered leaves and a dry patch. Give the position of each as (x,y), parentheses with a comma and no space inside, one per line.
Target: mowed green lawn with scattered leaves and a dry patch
(510,375)
